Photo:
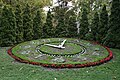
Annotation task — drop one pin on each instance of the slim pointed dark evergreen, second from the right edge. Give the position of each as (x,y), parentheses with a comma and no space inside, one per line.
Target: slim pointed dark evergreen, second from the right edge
(103,27)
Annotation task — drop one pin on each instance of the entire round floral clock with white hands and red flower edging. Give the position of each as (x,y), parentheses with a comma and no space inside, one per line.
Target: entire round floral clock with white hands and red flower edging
(60,52)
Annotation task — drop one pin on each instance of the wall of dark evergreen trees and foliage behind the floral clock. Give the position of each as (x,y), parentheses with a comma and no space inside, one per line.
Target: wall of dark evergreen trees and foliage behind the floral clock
(99,20)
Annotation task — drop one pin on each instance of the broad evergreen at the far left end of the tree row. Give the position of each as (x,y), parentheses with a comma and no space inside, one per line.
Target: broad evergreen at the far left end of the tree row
(8,27)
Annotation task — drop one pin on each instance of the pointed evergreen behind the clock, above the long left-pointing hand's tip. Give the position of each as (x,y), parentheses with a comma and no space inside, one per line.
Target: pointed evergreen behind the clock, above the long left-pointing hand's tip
(48,26)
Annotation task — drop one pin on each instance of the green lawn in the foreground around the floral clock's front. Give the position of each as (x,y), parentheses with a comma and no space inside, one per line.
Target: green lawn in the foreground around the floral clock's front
(11,70)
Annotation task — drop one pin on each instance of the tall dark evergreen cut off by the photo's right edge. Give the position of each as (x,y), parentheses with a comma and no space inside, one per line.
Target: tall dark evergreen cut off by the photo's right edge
(112,39)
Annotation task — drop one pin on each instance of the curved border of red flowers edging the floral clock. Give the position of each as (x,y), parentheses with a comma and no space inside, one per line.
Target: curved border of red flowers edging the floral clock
(108,58)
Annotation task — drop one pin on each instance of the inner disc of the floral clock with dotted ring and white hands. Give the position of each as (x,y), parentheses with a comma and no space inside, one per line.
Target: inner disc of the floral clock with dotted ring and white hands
(61,48)
